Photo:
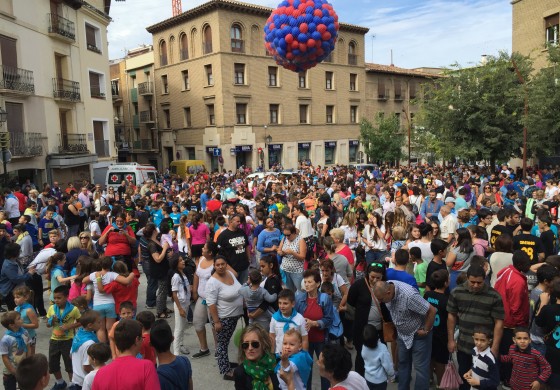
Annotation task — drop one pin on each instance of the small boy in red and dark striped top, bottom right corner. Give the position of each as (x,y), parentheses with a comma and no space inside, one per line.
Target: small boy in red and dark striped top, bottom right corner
(529,368)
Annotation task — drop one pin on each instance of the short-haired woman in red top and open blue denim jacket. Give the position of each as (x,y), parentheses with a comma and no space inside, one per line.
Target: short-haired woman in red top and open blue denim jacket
(317,309)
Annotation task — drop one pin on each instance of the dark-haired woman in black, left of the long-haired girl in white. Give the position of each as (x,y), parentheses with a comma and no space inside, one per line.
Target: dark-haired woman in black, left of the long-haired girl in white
(155,265)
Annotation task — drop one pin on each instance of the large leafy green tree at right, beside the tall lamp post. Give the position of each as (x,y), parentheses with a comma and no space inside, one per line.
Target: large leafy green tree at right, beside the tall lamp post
(475,113)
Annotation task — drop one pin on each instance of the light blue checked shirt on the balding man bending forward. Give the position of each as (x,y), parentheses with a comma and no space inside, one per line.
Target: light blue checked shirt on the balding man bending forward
(408,311)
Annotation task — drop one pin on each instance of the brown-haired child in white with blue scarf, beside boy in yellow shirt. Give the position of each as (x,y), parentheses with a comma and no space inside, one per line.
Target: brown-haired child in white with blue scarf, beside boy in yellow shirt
(85,337)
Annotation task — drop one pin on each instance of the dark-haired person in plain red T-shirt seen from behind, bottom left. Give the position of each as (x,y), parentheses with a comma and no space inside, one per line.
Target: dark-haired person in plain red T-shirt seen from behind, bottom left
(127,372)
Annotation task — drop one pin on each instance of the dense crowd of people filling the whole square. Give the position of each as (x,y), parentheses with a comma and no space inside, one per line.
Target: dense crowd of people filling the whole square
(406,268)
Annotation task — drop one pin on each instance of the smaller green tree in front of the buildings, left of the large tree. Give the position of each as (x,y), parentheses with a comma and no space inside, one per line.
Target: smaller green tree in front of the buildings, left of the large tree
(383,141)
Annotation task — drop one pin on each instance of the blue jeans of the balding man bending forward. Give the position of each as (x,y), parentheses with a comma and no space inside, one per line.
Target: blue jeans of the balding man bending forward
(419,354)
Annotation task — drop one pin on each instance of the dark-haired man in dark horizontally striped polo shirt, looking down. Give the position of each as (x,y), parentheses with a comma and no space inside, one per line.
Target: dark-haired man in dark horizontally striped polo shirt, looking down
(473,303)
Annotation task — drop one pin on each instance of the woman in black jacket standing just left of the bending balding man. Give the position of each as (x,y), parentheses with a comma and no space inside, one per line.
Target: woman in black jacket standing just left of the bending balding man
(360,296)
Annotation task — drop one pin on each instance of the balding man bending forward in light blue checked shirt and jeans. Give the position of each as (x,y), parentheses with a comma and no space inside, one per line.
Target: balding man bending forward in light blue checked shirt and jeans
(414,318)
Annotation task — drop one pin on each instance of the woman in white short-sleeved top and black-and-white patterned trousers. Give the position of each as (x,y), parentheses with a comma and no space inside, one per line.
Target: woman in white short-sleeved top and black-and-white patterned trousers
(225,306)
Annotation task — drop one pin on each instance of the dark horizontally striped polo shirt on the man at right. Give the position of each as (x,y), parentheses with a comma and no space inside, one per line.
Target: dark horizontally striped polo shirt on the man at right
(474,309)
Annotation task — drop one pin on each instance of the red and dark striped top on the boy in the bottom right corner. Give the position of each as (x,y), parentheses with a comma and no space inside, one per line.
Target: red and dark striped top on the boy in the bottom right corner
(528,366)
